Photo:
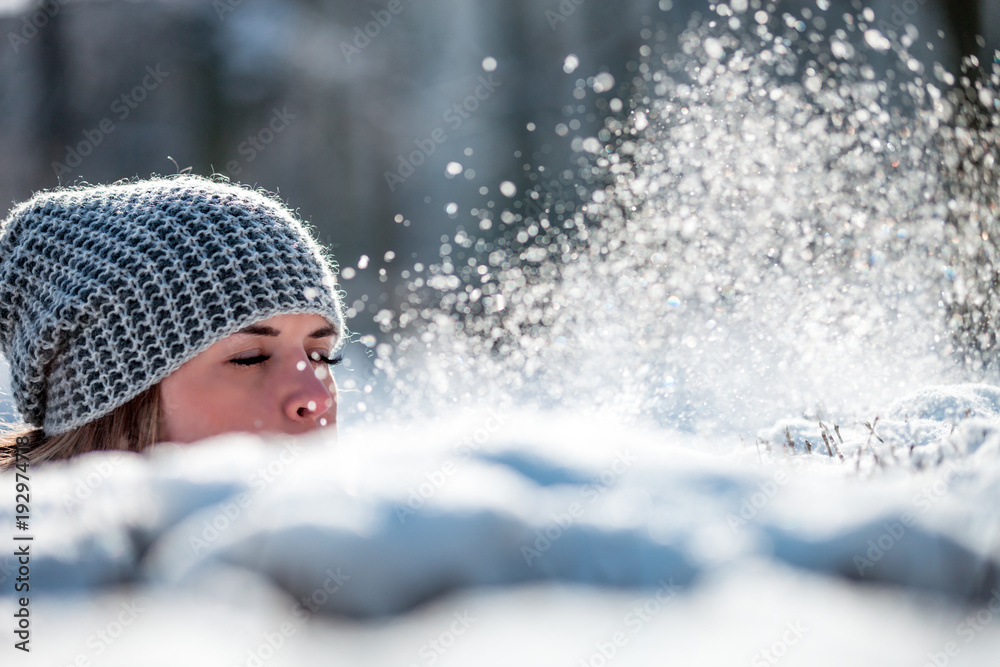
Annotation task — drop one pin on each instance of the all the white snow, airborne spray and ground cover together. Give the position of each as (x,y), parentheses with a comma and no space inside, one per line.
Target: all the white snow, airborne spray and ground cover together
(723,425)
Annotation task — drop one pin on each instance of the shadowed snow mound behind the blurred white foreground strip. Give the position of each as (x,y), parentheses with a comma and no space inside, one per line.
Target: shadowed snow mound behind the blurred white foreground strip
(392,517)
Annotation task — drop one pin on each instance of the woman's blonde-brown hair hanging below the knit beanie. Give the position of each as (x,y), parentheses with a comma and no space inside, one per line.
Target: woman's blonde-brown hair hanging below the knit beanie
(133,427)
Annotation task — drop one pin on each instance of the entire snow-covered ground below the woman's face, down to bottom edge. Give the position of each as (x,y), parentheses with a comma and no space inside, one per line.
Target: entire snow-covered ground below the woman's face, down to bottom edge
(526,538)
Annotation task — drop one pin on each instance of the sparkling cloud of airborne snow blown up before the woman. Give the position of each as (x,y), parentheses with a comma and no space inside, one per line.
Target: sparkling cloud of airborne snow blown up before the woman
(782,212)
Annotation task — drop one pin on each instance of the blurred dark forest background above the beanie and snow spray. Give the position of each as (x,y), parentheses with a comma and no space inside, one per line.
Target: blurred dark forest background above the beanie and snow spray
(370,117)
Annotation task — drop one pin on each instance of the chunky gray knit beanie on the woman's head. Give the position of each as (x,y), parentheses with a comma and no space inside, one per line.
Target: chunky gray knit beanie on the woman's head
(106,290)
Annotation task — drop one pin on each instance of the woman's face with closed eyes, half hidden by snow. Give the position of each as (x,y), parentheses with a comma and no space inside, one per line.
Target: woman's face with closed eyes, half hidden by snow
(266,378)
